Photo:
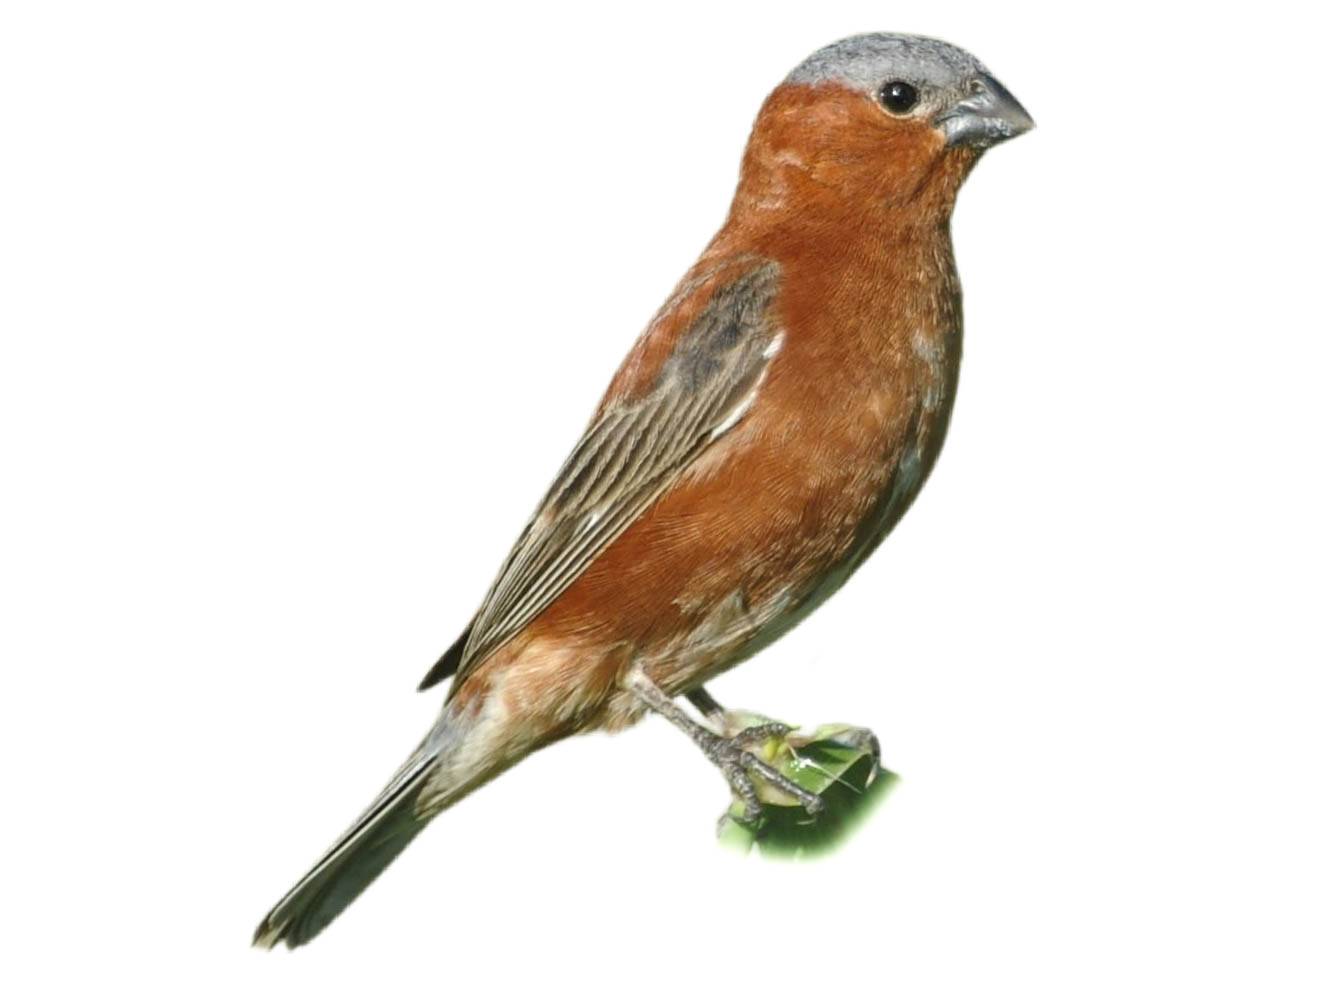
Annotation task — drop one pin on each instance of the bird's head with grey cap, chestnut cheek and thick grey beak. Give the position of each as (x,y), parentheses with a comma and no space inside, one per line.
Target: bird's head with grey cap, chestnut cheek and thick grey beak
(886,119)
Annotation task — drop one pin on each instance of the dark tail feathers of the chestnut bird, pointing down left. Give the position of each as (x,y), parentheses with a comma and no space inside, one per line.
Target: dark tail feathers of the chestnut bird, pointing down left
(354,863)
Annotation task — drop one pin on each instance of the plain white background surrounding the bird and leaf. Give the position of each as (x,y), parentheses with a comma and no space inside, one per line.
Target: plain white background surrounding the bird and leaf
(302,305)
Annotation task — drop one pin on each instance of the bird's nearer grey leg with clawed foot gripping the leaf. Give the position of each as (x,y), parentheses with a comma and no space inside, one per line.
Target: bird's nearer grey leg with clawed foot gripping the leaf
(731,755)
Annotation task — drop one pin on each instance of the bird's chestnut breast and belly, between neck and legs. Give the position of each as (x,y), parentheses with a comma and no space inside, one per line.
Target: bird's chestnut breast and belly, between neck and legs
(772,519)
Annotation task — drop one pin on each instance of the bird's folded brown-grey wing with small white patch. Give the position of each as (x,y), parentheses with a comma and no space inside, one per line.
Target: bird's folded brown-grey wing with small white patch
(632,452)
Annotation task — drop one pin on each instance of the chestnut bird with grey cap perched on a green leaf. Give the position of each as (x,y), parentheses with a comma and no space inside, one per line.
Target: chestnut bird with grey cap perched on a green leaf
(768,431)
